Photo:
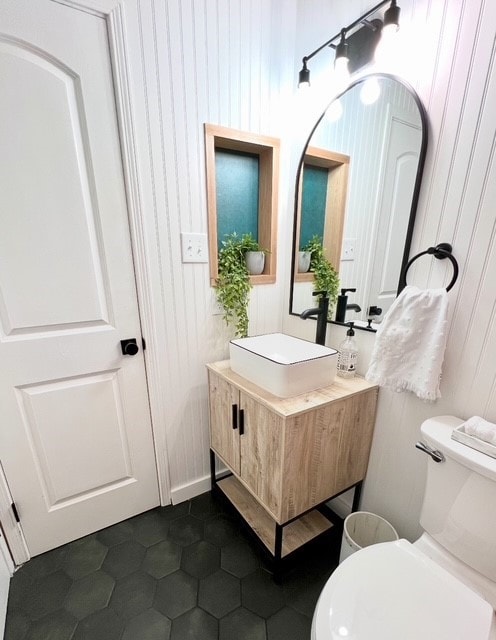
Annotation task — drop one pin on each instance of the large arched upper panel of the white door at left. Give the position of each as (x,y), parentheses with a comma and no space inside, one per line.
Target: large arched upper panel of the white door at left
(55,157)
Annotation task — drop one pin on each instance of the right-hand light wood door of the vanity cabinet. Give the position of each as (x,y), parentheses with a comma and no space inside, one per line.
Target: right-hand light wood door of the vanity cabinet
(261,453)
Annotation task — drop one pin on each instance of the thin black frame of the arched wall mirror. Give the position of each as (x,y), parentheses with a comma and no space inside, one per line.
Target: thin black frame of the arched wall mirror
(416,190)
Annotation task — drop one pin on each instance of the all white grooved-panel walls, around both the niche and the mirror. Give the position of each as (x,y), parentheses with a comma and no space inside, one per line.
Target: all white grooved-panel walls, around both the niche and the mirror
(232,62)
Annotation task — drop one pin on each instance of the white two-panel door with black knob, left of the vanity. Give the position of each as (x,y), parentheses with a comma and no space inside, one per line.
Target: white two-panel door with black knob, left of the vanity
(75,439)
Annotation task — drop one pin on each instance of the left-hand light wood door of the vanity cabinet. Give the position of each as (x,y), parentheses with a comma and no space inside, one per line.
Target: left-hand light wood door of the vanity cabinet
(224,431)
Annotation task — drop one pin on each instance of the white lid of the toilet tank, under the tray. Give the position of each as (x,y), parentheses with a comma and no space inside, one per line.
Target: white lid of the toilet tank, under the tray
(437,432)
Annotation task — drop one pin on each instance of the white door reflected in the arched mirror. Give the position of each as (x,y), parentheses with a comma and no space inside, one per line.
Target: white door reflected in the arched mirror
(402,149)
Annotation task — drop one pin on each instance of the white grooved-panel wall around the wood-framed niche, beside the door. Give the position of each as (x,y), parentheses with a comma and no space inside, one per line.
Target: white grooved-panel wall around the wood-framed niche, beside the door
(226,62)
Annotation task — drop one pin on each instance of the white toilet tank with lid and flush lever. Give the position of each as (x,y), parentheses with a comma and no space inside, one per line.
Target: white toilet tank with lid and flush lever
(459,507)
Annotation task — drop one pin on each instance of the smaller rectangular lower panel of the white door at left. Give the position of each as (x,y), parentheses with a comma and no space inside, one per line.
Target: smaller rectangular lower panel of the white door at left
(70,465)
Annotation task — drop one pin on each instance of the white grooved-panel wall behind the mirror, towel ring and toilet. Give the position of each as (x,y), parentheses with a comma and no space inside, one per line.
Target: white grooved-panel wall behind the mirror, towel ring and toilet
(452,68)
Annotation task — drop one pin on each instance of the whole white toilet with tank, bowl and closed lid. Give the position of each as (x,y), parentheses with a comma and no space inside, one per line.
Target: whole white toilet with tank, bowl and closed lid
(443,586)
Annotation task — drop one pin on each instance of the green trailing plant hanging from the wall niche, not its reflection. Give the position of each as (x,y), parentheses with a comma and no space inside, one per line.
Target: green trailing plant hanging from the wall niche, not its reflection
(233,281)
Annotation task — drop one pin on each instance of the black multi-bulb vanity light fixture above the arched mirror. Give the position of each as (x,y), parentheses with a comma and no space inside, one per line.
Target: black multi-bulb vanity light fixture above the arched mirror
(344,49)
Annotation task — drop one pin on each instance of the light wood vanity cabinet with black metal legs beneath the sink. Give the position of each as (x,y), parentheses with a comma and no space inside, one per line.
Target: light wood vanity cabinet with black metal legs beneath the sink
(288,456)
